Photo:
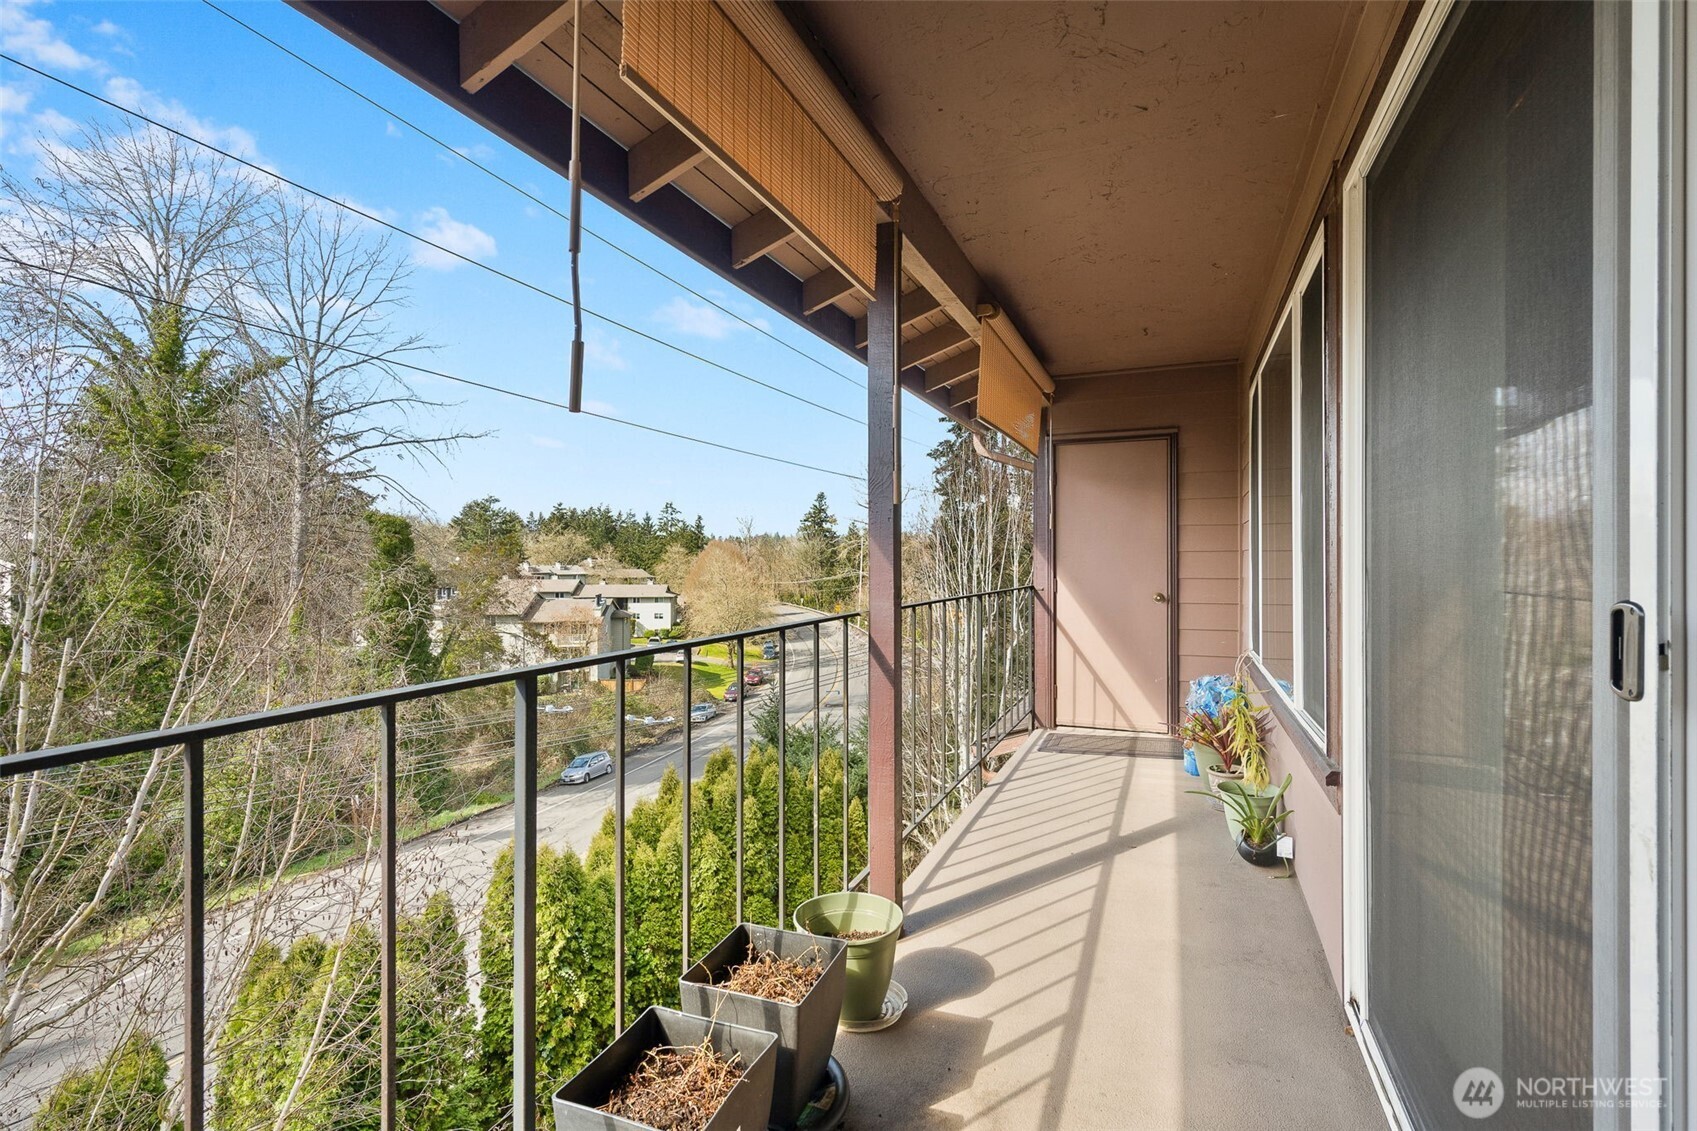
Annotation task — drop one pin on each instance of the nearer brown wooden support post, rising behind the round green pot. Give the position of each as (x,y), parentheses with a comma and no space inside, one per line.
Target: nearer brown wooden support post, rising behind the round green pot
(883,402)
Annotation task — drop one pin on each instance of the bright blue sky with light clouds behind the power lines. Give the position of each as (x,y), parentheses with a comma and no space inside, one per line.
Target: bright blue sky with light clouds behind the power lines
(191,67)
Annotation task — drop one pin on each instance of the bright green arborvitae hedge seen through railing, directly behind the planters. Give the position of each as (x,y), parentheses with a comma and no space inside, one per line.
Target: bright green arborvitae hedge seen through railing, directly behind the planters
(574,906)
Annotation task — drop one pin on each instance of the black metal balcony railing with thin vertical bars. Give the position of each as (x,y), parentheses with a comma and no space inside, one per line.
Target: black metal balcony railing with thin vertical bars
(968,667)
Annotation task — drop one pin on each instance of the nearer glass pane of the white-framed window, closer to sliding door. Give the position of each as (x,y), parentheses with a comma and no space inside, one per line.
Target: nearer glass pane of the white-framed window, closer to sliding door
(1311,420)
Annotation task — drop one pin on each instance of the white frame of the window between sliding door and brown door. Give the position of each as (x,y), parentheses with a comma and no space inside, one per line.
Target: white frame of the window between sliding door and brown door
(1313,273)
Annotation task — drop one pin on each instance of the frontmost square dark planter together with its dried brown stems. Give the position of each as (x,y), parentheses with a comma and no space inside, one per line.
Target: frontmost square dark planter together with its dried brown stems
(669,1062)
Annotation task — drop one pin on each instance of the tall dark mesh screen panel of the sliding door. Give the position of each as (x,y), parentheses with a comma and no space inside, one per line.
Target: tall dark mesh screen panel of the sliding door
(1479,554)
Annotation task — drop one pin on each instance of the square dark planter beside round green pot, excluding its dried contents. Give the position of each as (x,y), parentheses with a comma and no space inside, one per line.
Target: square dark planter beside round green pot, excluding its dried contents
(805,1030)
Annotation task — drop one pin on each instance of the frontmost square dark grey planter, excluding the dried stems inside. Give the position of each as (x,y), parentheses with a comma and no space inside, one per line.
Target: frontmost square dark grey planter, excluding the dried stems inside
(746,1108)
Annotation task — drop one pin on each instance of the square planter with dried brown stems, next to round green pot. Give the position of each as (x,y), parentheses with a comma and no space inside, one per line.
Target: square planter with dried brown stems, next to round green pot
(783,982)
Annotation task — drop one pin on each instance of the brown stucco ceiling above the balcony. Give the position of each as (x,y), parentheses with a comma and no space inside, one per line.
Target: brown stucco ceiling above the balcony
(1117,172)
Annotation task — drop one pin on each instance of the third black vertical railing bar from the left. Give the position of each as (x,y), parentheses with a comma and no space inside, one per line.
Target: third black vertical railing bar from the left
(525,903)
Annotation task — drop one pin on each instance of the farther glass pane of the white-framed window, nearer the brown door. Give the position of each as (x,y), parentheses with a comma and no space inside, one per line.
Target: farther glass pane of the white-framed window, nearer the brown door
(1277,599)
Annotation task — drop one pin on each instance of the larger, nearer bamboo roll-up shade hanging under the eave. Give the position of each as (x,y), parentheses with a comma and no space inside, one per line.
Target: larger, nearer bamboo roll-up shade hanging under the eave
(700,72)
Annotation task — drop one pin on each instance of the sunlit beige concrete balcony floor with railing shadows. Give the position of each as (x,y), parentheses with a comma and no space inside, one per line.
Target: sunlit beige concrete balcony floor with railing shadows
(1085,950)
